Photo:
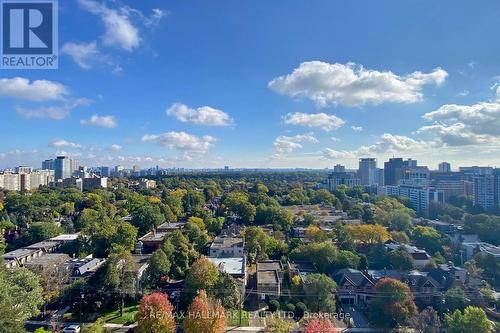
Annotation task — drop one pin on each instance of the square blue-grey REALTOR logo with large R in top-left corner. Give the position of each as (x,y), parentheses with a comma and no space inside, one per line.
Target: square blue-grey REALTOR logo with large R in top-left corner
(29,34)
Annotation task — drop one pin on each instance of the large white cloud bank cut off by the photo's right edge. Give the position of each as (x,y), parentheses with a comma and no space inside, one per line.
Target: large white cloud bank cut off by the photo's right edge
(460,125)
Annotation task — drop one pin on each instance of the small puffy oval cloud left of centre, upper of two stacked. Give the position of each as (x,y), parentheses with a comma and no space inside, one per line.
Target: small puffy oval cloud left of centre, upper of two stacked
(204,115)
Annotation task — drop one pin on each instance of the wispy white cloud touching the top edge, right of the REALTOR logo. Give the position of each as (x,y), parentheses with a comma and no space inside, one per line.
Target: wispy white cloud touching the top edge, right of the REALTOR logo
(120,31)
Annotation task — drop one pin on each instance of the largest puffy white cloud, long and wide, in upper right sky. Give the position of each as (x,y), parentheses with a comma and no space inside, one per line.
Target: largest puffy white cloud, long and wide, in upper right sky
(353,85)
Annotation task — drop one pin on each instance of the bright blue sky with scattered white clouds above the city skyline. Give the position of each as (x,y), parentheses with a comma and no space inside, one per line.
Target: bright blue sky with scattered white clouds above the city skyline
(261,84)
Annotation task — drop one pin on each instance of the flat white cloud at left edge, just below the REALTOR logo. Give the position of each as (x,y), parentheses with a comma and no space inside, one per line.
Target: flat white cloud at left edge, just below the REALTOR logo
(38,90)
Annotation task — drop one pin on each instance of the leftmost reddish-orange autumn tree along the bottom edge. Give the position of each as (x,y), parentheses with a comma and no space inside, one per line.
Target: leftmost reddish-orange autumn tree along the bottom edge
(155,315)
